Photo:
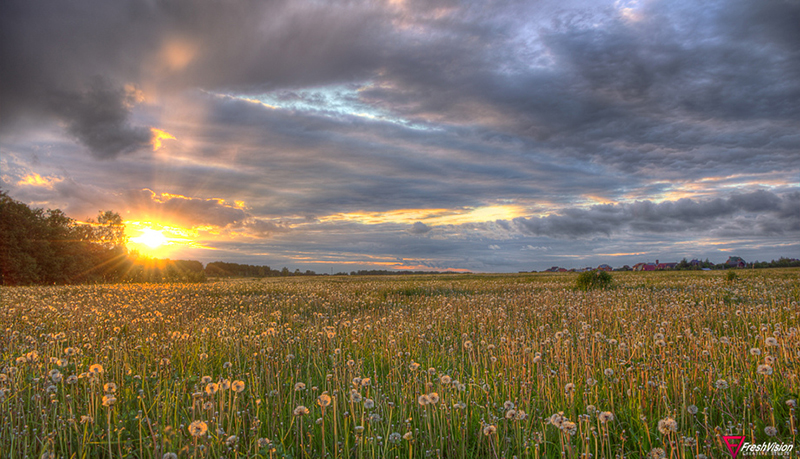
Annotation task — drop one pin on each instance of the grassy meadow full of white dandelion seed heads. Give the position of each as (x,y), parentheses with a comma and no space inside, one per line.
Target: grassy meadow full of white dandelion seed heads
(662,365)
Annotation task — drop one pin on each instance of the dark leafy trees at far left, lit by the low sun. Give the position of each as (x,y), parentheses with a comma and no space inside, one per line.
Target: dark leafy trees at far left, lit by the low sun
(47,247)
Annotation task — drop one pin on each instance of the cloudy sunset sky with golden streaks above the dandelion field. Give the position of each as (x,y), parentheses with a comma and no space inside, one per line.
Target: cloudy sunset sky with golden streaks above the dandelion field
(496,136)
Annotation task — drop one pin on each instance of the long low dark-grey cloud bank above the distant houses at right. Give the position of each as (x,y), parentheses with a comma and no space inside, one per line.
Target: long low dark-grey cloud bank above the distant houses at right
(758,213)
